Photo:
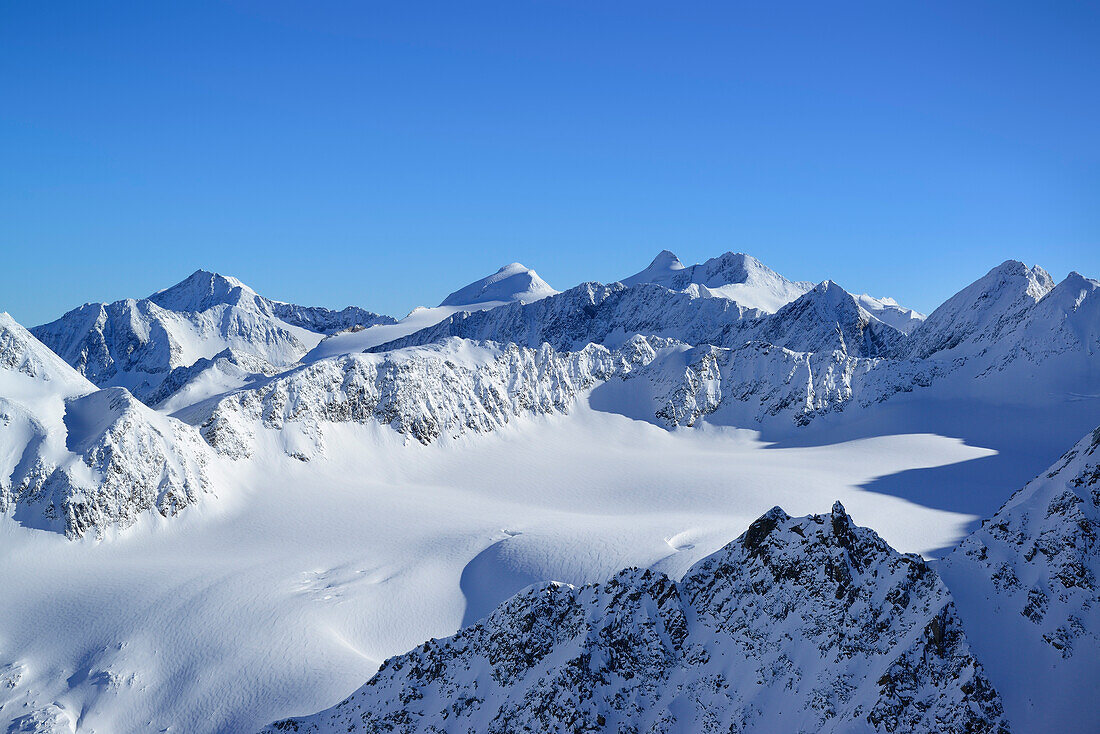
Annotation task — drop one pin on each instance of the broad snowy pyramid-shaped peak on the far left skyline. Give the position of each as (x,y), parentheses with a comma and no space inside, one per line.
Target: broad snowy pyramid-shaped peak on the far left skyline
(137,344)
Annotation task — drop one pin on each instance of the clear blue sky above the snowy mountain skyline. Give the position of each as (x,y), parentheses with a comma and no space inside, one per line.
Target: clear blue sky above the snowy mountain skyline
(338,154)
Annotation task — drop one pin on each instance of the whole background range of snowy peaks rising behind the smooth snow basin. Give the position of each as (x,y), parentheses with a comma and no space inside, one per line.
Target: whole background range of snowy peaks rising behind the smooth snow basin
(669,357)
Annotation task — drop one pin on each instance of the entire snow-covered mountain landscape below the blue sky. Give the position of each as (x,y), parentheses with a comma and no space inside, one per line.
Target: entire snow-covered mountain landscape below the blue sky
(532,510)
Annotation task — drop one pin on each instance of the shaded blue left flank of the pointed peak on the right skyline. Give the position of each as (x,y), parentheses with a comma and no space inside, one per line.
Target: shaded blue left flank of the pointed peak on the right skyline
(975,316)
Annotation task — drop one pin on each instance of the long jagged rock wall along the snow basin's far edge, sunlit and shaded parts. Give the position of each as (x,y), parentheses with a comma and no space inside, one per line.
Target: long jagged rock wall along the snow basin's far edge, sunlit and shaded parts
(458,387)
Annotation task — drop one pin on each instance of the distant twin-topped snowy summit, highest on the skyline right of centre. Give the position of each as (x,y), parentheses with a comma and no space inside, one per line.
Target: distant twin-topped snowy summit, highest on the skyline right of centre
(734,276)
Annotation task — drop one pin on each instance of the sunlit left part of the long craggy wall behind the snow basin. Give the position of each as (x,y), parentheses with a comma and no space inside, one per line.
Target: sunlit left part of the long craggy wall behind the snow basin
(425,393)
